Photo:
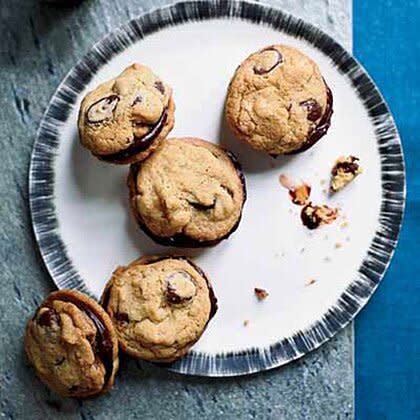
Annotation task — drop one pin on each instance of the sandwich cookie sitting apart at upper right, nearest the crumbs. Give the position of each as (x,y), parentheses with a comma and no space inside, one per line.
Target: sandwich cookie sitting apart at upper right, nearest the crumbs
(278,101)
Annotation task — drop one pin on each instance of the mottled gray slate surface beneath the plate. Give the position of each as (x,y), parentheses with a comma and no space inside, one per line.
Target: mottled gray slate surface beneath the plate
(39,45)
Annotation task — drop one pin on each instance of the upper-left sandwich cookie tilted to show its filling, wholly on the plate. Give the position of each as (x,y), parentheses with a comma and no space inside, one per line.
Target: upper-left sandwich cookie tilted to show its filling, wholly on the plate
(125,119)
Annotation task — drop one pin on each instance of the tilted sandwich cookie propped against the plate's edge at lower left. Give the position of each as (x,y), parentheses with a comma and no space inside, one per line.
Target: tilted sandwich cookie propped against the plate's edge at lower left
(72,345)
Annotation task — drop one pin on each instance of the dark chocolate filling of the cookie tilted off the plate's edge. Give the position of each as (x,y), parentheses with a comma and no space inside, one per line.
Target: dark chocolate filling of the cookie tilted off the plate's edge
(102,345)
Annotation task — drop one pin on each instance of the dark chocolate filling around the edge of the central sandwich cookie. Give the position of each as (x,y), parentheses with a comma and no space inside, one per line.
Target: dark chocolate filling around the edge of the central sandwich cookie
(180,239)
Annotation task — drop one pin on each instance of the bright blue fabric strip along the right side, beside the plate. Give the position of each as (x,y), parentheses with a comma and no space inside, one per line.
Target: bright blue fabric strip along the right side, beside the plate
(387,358)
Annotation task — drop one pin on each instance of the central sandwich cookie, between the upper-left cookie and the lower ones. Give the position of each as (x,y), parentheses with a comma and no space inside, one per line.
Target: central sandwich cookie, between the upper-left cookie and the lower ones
(188,193)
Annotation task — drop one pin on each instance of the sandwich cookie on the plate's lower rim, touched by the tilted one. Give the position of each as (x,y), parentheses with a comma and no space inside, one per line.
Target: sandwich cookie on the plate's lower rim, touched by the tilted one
(159,306)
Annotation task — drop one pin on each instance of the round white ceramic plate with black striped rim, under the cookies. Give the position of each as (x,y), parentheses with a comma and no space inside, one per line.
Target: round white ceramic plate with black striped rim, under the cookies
(317,280)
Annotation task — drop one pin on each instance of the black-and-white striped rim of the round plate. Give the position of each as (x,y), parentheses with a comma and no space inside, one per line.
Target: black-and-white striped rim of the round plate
(392,169)
